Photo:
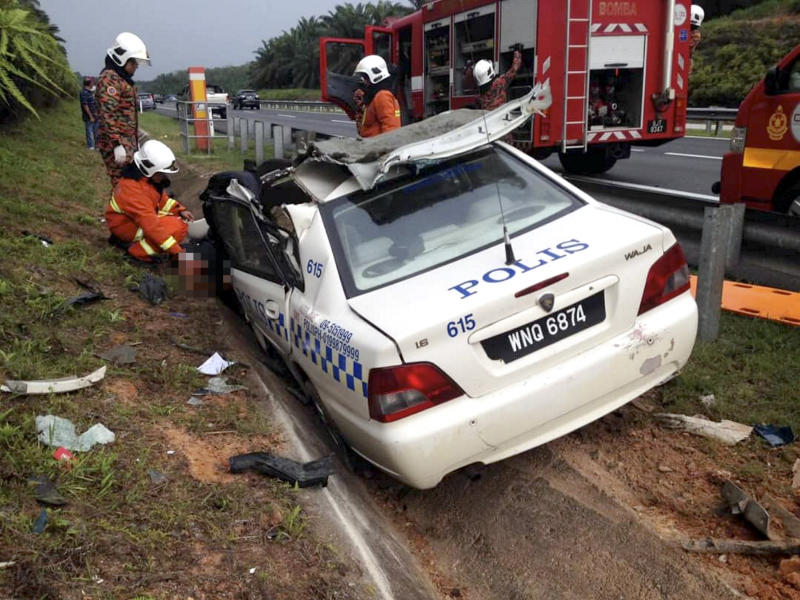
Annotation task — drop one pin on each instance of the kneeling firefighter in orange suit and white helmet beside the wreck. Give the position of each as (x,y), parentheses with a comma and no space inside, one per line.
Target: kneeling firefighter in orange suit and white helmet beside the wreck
(141,216)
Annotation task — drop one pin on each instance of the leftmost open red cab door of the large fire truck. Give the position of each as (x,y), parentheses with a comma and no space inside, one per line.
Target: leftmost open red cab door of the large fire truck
(338,58)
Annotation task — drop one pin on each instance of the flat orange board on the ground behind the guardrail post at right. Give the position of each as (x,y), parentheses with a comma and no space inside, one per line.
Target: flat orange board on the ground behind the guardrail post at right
(758,301)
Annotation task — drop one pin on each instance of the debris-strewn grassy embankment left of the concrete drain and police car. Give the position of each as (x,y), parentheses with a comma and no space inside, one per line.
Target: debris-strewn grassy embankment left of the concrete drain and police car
(121,534)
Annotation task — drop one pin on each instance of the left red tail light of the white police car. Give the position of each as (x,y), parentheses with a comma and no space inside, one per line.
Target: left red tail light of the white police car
(397,392)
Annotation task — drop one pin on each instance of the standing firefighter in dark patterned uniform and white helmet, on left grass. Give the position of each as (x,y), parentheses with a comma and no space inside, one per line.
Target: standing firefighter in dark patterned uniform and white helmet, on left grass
(115,96)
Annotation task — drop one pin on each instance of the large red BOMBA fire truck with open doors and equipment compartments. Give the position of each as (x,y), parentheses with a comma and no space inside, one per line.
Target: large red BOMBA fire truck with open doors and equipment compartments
(618,71)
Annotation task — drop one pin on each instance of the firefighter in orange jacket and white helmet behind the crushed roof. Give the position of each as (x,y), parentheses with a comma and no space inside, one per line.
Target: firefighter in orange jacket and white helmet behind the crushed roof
(378,111)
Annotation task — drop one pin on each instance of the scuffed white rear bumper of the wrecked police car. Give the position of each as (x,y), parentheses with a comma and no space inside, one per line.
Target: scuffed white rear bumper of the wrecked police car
(420,450)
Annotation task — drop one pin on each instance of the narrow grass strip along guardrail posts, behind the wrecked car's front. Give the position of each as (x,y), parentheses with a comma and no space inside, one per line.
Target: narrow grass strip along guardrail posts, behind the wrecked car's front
(167,130)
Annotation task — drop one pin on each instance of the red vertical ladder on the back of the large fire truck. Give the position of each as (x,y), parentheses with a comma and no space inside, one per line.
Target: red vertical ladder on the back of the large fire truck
(576,75)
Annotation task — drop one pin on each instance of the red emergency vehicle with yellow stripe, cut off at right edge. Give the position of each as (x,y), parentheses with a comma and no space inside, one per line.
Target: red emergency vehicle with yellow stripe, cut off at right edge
(762,168)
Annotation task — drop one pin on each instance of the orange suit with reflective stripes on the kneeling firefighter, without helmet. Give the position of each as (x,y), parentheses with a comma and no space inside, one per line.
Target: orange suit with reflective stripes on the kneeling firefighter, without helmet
(141,214)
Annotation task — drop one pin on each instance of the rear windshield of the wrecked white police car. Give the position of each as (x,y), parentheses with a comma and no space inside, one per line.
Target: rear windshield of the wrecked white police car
(442,213)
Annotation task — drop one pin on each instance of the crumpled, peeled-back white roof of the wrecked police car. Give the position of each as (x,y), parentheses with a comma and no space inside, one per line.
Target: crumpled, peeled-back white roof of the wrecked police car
(442,136)
